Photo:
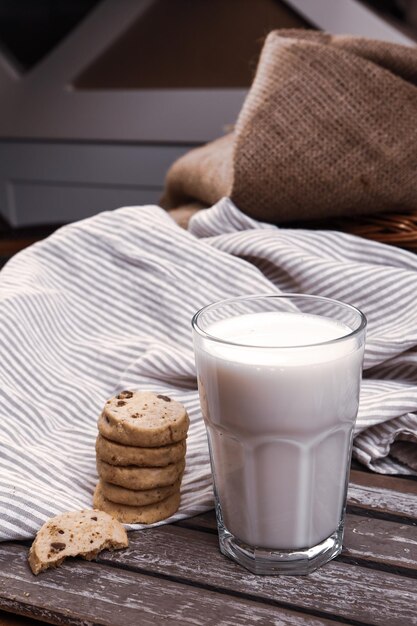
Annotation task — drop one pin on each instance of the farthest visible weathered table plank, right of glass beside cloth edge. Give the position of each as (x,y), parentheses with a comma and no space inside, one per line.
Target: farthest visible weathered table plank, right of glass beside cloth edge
(383,494)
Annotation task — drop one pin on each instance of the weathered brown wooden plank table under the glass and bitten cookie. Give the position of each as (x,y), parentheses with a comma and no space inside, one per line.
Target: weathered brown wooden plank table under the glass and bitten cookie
(175,574)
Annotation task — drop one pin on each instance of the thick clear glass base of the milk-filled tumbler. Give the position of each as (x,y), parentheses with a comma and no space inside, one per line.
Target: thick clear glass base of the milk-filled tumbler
(274,562)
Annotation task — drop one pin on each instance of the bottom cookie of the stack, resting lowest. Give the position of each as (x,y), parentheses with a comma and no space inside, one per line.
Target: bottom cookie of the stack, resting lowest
(137,514)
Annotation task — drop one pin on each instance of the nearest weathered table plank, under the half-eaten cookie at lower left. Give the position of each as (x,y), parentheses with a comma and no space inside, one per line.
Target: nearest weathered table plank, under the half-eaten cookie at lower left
(84,593)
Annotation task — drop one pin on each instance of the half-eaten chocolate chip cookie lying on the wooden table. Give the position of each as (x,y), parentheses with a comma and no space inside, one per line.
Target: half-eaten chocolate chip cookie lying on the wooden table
(76,533)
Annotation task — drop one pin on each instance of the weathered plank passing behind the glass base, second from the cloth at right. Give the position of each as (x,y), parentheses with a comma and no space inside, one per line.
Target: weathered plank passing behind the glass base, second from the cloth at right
(366,539)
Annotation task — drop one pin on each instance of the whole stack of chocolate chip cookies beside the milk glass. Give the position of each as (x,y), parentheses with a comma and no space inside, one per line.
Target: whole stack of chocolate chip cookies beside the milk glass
(140,456)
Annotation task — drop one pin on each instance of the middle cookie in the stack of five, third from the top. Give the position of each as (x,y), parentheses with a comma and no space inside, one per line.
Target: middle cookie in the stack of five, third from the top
(142,478)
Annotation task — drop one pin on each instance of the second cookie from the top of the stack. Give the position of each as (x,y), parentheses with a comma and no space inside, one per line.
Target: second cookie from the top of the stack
(119,454)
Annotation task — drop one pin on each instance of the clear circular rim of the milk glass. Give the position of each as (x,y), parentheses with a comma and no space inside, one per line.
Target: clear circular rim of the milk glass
(295,296)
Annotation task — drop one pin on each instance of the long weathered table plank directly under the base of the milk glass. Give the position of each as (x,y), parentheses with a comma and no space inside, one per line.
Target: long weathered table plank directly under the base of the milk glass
(348,591)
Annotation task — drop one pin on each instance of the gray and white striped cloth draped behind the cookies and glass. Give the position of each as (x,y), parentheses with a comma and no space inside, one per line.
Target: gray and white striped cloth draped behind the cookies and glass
(105,304)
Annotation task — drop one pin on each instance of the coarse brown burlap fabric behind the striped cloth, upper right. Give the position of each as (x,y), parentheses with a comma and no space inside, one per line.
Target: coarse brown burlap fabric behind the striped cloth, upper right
(329,128)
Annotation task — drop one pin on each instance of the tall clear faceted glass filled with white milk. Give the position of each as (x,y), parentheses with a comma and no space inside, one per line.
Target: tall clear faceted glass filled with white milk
(279,380)
